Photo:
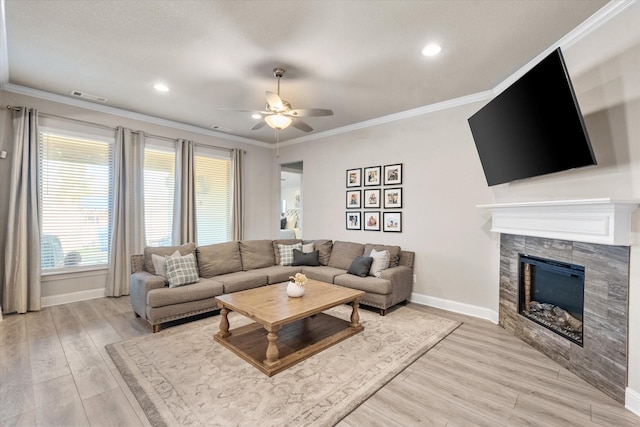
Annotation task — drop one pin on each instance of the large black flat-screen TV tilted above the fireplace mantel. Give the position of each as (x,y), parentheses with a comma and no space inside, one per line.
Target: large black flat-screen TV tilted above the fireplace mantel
(532,128)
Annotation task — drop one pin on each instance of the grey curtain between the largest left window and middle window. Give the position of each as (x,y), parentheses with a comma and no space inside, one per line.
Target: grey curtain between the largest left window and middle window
(127,225)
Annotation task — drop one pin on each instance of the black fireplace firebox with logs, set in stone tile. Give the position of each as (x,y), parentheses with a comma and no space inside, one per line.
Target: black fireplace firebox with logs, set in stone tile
(551,293)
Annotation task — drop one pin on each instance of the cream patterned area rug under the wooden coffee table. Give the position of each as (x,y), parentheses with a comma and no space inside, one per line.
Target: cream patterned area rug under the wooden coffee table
(182,377)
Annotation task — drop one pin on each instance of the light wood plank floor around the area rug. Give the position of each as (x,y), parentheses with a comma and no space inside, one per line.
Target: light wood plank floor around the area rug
(54,370)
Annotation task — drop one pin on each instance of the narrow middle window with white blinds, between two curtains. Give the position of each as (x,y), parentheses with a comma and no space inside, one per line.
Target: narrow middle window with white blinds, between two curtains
(159,178)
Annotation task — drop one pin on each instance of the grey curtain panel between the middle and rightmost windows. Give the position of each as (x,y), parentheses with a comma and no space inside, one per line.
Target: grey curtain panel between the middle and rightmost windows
(184,204)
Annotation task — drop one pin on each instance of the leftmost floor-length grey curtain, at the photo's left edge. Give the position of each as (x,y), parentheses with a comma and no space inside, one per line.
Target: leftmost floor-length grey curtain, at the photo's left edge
(21,287)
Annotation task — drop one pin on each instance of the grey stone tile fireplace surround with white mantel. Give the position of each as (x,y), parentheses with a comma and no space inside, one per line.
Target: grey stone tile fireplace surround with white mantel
(591,233)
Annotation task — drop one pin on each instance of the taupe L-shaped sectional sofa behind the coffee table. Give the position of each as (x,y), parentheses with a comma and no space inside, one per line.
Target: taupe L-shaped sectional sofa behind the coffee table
(239,265)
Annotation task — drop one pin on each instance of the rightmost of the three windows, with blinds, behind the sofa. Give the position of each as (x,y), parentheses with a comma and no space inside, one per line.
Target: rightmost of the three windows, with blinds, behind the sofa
(213,195)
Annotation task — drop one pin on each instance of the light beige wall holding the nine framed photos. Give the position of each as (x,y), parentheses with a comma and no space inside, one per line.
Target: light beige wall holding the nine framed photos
(442,183)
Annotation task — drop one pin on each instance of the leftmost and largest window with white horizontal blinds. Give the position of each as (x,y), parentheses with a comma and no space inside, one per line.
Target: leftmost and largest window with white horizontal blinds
(75,193)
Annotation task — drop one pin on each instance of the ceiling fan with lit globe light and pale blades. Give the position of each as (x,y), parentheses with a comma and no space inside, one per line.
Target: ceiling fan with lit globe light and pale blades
(278,113)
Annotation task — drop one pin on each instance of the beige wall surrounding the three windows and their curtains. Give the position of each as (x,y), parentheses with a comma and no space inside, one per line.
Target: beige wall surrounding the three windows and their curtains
(259,167)
